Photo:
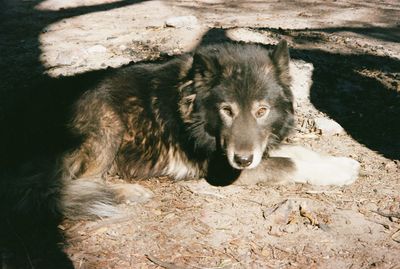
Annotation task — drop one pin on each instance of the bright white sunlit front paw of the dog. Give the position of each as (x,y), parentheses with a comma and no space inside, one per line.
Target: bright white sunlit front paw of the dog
(337,171)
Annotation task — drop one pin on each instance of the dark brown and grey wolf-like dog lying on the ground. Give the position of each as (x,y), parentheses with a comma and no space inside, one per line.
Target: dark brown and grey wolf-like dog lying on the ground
(220,113)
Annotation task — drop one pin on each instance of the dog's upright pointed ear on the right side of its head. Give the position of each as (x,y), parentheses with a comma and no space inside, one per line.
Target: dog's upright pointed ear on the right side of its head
(280,57)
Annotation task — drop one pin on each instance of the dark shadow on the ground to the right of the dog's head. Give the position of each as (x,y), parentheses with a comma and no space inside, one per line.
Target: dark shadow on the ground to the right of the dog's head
(366,108)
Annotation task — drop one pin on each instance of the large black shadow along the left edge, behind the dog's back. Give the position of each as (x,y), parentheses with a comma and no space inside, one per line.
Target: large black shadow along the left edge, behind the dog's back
(33,114)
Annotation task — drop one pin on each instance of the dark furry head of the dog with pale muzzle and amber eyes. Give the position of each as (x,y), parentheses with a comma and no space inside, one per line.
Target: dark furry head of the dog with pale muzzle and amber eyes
(240,100)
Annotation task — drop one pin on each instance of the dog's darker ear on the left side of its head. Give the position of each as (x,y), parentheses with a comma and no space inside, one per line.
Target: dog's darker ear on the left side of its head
(205,66)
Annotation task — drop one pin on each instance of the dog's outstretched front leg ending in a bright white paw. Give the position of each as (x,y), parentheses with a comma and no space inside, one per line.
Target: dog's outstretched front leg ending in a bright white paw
(298,164)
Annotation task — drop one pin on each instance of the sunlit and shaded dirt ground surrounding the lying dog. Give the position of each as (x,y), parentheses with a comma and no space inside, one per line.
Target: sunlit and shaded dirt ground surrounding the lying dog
(346,67)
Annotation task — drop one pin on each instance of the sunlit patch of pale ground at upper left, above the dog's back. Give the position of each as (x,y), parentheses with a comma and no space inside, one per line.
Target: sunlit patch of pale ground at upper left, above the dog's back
(114,38)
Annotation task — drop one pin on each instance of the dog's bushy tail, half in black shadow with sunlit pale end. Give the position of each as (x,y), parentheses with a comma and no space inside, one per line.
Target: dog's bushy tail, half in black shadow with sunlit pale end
(40,192)
